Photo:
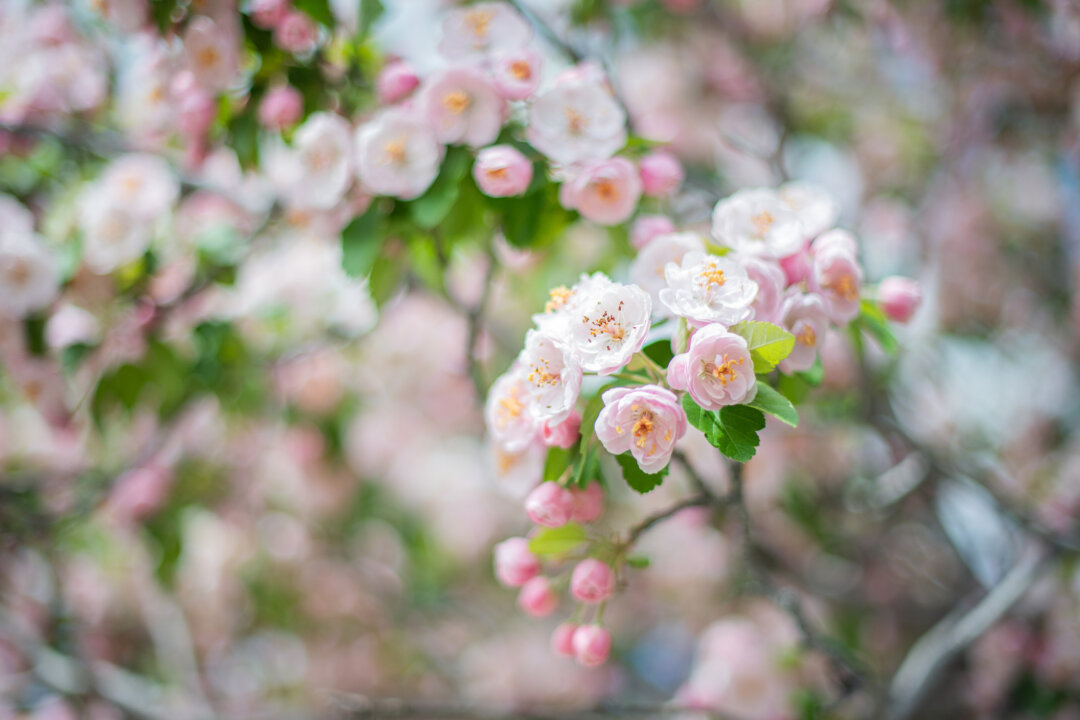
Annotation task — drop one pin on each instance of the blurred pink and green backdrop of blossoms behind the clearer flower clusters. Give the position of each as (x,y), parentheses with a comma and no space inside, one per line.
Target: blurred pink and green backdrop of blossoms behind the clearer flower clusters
(262,488)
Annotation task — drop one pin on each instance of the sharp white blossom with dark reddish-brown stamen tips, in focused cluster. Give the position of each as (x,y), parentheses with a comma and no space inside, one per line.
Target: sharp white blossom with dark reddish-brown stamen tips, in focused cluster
(607,324)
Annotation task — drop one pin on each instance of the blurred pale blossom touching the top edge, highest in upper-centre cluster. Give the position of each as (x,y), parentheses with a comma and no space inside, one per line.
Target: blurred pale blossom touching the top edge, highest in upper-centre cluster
(477,32)
